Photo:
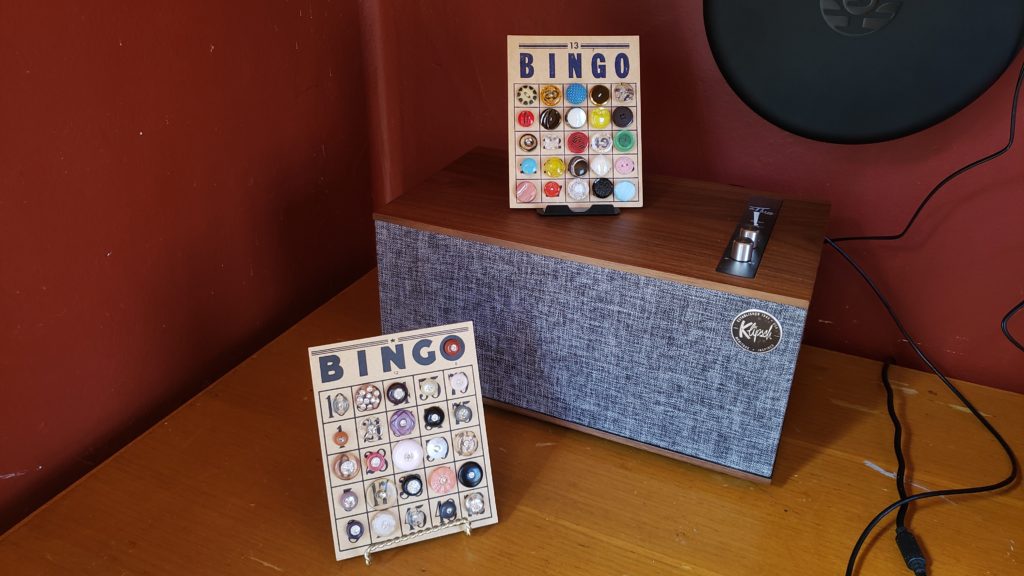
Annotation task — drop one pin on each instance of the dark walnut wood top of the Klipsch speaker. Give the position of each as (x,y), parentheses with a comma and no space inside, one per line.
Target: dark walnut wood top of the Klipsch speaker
(679,235)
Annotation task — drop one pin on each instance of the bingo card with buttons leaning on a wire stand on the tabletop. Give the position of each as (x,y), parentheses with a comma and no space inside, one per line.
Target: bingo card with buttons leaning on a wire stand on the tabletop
(402,432)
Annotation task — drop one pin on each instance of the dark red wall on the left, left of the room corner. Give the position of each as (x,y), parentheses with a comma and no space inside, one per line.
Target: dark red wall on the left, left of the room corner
(180,182)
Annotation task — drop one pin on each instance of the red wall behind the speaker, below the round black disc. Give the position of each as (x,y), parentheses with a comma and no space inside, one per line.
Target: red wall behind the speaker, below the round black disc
(952,280)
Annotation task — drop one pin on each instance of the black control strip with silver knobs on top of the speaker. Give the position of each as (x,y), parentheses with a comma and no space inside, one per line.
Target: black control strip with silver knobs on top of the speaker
(747,246)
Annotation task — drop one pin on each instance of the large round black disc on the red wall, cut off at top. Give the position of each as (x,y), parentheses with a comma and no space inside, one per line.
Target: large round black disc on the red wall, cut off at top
(862,71)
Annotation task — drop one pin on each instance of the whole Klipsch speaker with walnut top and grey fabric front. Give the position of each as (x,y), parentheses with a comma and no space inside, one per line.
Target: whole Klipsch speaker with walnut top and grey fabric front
(641,327)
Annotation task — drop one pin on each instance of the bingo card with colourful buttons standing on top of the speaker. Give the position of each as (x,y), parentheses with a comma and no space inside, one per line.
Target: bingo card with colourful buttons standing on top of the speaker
(575,121)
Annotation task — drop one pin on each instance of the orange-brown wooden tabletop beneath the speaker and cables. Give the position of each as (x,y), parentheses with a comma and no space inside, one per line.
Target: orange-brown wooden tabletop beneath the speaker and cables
(232,484)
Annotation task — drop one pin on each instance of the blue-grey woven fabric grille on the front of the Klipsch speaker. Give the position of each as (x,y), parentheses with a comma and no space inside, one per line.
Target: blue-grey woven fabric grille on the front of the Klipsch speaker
(637,357)
